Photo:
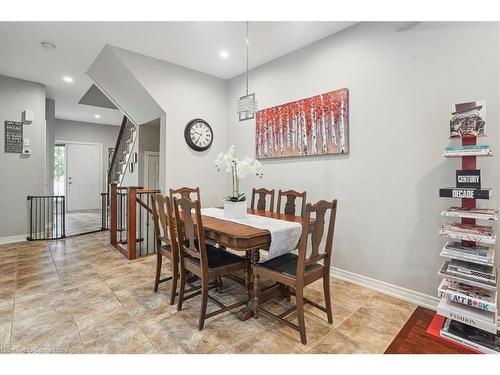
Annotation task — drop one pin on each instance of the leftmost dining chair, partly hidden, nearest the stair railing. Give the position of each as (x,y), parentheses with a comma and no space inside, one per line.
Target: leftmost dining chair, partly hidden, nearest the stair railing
(166,241)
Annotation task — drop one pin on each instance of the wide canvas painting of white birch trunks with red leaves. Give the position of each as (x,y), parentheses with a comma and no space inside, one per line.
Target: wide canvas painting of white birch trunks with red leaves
(318,125)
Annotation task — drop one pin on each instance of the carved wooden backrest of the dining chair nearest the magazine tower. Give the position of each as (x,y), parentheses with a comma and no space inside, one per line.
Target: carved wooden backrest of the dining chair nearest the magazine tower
(314,228)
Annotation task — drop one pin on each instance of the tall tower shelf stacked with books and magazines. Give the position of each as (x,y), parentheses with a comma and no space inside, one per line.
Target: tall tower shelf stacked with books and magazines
(467,311)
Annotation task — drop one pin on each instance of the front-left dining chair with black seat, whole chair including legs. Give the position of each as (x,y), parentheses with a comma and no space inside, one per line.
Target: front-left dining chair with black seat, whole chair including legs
(202,259)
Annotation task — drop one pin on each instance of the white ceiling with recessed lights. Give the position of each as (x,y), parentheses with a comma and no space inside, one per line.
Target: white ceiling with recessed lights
(194,45)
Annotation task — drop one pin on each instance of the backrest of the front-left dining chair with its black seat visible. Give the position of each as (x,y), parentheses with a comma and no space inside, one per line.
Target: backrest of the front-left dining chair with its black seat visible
(190,233)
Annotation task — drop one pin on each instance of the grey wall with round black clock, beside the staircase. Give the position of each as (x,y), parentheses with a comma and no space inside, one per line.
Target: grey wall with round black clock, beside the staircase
(183,95)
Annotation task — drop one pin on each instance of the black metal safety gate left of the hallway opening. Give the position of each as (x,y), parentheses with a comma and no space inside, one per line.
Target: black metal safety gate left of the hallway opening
(46,217)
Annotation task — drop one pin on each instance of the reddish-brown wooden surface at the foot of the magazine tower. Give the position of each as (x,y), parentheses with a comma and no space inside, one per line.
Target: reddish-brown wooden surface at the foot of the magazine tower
(413,339)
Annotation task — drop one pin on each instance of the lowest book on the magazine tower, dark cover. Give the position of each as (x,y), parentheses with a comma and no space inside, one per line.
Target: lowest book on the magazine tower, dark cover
(471,337)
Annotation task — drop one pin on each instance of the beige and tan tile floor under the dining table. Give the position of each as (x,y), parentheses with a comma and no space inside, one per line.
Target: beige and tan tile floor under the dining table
(80,295)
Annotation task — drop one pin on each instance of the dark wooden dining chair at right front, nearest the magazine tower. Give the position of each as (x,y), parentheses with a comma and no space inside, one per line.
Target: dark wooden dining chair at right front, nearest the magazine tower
(298,271)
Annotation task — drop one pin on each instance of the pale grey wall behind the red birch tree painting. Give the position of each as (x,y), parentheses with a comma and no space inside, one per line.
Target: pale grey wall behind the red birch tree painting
(401,85)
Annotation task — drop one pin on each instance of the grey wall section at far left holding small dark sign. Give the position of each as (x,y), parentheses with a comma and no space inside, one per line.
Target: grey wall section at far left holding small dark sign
(21,175)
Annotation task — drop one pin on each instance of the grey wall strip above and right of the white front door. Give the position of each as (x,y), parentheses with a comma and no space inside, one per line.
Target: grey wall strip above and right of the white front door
(66,130)
